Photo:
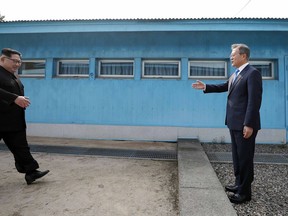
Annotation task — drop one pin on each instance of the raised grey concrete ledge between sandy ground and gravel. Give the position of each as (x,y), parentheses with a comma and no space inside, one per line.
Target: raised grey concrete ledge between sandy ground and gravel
(200,192)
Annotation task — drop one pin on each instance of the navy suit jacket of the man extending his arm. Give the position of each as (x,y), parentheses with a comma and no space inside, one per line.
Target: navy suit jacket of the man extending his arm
(244,99)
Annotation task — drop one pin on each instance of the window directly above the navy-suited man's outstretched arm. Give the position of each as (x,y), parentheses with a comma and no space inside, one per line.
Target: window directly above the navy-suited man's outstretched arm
(204,69)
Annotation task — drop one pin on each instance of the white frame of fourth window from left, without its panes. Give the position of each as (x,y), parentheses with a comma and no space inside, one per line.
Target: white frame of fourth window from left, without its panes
(177,62)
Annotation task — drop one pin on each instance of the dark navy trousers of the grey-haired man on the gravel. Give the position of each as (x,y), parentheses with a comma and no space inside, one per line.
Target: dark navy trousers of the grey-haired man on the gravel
(243,160)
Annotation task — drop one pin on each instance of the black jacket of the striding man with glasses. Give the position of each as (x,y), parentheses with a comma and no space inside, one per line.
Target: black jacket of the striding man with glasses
(12,116)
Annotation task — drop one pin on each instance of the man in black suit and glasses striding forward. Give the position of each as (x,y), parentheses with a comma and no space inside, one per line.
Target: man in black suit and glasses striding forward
(12,115)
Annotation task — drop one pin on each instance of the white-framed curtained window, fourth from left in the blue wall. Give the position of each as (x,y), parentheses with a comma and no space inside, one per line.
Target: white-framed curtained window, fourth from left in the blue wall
(161,69)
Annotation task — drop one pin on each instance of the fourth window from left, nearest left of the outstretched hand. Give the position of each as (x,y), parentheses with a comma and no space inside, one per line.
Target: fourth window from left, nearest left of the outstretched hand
(161,68)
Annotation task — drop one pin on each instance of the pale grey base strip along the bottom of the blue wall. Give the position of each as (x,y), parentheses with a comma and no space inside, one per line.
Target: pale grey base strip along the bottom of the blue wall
(148,133)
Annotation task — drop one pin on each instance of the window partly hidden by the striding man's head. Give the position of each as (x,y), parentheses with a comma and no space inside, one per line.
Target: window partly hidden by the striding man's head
(32,68)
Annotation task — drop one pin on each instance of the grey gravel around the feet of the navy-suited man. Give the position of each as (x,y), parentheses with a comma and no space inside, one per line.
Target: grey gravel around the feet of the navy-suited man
(270,186)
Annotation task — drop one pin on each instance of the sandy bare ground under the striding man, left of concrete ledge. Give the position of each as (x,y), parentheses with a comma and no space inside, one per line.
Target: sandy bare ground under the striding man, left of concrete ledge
(90,186)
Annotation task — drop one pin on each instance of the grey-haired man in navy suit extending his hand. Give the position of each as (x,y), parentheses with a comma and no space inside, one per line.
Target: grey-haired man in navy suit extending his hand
(242,118)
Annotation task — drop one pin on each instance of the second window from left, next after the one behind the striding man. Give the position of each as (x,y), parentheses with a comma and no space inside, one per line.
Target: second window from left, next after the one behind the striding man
(73,68)
